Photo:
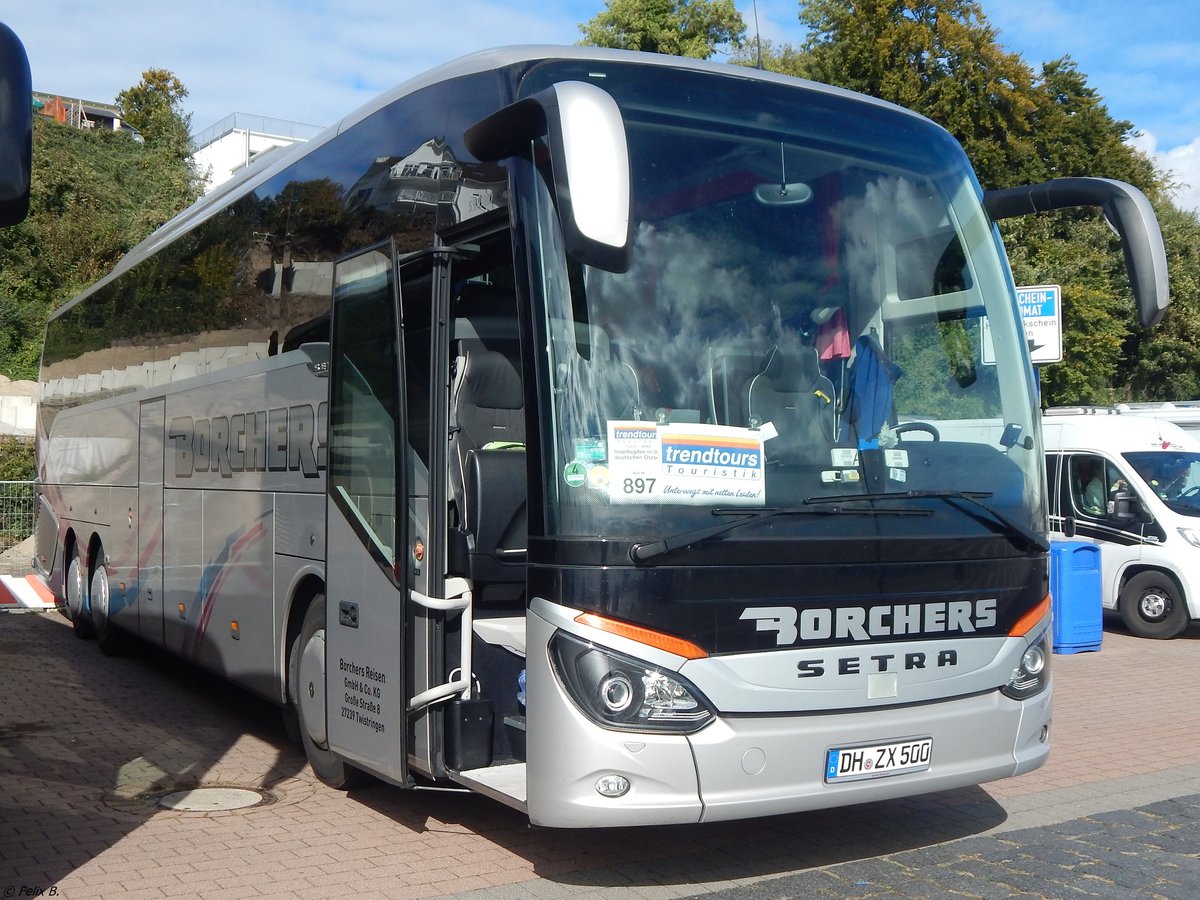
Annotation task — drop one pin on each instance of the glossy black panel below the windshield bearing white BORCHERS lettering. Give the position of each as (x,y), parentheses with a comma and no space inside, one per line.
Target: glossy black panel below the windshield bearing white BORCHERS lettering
(785,603)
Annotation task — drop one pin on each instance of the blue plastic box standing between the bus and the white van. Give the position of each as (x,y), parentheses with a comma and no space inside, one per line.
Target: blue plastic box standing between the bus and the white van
(1076,597)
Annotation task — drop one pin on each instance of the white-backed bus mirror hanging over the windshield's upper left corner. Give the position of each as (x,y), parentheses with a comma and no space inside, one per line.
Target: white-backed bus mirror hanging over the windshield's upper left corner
(590,160)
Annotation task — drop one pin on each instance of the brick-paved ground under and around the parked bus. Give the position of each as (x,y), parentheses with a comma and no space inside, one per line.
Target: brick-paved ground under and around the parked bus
(86,740)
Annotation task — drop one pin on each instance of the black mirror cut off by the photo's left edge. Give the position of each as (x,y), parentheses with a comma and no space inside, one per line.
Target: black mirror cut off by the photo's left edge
(16,128)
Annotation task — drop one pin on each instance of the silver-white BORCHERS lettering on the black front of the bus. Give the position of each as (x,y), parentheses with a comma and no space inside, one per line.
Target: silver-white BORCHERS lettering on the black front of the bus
(861,625)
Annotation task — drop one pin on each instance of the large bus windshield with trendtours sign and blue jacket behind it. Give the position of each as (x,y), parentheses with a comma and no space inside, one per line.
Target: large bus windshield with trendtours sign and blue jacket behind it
(817,307)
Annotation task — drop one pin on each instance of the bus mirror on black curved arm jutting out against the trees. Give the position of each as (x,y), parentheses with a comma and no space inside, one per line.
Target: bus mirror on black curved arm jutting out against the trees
(1129,214)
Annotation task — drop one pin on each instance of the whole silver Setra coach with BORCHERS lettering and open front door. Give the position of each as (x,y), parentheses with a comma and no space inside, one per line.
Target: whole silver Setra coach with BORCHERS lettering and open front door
(607,434)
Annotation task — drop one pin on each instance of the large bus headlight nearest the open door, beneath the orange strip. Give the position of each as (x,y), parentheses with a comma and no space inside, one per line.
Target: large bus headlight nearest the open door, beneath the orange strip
(626,694)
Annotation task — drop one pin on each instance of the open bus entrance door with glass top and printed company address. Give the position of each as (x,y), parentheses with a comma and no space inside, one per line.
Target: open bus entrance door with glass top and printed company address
(365,703)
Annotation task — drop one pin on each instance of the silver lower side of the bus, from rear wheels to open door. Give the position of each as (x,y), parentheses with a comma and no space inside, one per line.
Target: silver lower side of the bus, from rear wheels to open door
(191,532)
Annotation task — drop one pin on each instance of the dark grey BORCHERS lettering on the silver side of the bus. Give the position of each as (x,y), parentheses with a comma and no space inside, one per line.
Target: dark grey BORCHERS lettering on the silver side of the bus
(281,440)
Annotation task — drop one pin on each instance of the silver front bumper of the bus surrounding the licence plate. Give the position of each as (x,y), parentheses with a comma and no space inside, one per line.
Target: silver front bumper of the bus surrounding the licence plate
(753,765)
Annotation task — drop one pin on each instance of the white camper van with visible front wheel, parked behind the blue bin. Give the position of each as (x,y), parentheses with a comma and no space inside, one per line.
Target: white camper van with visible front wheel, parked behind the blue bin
(1130,484)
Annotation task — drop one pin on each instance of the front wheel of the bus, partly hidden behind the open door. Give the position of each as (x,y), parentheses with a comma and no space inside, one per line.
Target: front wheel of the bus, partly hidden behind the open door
(307,689)
